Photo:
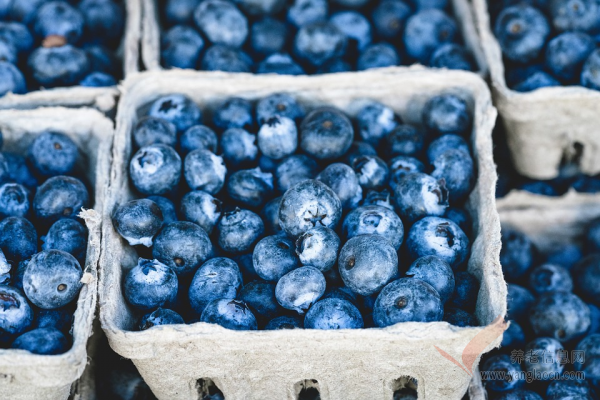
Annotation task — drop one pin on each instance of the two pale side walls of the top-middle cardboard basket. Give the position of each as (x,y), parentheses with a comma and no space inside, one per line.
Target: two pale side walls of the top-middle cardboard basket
(152,31)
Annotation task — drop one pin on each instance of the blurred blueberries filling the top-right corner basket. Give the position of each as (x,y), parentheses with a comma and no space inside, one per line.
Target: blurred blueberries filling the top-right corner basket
(548,42)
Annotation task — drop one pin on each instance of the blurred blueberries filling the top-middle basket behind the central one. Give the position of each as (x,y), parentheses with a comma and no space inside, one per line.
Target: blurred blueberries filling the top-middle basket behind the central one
(310,36)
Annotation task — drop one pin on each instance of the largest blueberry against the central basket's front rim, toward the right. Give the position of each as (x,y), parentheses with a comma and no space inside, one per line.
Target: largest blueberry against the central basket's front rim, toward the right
(405,300)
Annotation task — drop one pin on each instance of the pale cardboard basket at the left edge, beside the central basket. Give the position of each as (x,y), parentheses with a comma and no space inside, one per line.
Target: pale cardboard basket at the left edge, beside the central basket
(24,375)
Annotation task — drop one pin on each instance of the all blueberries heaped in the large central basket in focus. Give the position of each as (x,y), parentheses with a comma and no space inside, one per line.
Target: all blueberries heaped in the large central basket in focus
(271,216)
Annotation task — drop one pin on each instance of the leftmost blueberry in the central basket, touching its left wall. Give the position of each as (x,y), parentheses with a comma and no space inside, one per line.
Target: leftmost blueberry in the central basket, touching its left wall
(138,221)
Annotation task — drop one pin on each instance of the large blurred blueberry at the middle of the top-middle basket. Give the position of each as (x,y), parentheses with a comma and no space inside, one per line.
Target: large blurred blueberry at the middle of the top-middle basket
(318,42)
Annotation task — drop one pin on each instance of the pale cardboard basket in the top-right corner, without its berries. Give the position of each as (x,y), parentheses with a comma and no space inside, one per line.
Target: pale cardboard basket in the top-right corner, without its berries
(544,126)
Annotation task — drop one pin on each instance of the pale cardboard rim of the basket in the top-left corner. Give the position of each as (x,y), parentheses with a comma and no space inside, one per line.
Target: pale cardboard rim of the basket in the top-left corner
(103,98)
